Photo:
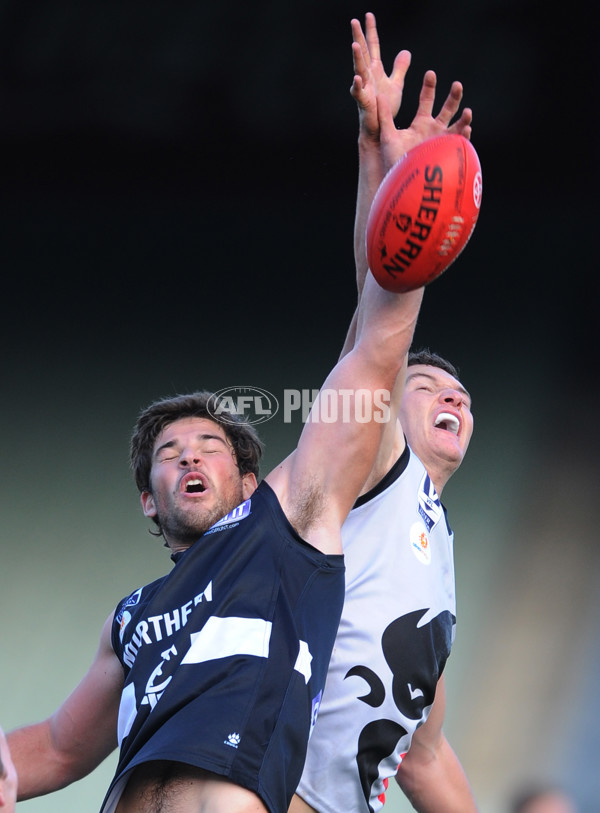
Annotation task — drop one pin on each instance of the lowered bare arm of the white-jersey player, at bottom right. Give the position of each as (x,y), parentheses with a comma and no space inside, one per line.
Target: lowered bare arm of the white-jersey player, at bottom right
(431,775)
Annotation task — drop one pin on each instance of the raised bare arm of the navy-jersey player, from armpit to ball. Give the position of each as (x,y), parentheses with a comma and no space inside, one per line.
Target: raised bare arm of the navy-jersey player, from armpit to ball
(318,485)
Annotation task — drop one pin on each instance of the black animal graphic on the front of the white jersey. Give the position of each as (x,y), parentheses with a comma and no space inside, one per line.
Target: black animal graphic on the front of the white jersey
(416,656)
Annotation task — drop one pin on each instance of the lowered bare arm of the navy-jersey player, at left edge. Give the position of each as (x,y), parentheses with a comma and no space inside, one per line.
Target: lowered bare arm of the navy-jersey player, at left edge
(76,738)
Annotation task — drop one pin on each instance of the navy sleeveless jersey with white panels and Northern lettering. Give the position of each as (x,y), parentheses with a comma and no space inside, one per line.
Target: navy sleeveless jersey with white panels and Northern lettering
(225,658)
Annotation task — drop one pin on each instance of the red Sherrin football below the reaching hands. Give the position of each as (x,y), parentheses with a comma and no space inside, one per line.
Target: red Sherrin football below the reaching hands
(424,213)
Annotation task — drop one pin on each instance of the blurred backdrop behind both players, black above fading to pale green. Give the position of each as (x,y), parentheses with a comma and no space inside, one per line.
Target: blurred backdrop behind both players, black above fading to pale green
(177,192)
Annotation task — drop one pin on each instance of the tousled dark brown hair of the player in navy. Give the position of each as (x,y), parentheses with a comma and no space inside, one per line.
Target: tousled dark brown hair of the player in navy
(153,419)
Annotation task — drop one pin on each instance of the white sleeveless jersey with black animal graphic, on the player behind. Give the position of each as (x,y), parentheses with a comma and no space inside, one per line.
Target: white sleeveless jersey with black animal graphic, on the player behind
(395,634)
